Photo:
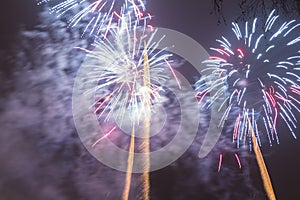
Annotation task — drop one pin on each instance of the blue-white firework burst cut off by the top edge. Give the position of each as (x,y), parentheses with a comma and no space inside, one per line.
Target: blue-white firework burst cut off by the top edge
(97,15)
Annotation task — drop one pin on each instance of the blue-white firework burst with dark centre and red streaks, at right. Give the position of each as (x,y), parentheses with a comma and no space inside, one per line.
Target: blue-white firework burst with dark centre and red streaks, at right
(257,69)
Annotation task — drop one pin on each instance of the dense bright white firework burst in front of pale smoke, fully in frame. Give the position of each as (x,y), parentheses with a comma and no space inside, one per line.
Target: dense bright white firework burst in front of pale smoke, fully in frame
(117,64)
